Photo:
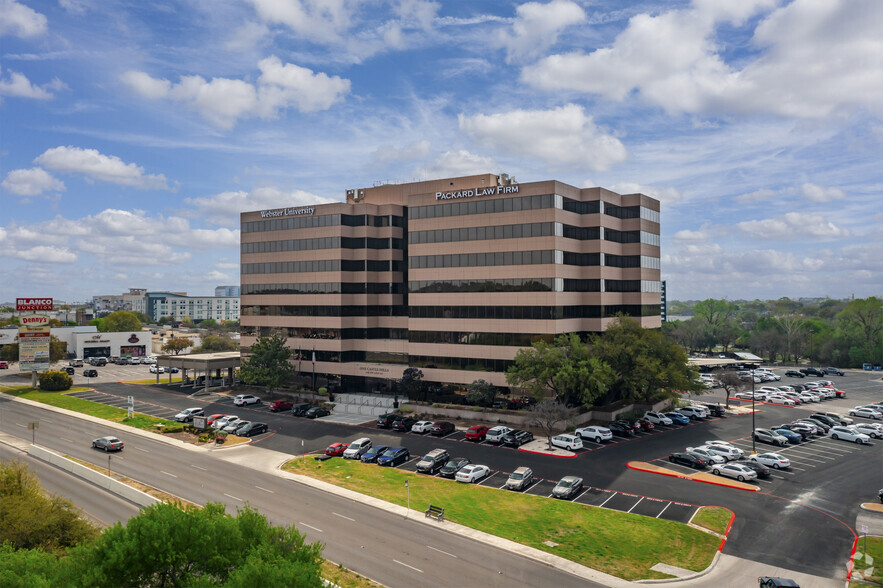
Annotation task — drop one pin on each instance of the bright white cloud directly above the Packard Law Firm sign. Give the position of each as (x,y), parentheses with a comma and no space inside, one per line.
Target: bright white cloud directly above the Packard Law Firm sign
(564,136)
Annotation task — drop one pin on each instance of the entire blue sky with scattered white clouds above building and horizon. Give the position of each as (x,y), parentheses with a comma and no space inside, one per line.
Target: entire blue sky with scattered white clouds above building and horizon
(133,133)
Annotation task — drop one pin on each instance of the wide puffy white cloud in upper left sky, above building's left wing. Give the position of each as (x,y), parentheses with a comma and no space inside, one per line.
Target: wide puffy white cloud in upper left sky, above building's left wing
(223,101)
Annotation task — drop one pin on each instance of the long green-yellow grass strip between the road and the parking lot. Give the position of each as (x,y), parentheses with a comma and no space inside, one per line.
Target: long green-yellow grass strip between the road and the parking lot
(617,543)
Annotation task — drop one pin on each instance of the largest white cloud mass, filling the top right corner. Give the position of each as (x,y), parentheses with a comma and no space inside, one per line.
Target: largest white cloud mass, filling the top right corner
(811,59)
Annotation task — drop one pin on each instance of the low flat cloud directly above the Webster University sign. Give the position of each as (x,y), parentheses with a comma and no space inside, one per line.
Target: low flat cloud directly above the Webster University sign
(224,208)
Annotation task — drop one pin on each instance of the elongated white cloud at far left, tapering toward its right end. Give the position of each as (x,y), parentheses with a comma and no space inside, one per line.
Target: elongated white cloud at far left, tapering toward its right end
(94,165)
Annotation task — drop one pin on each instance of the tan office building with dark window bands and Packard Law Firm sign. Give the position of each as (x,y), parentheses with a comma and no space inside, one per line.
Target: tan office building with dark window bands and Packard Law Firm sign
(451,276)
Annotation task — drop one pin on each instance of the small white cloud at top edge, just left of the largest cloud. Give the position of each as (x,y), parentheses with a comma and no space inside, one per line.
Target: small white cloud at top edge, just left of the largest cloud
(536,27)
